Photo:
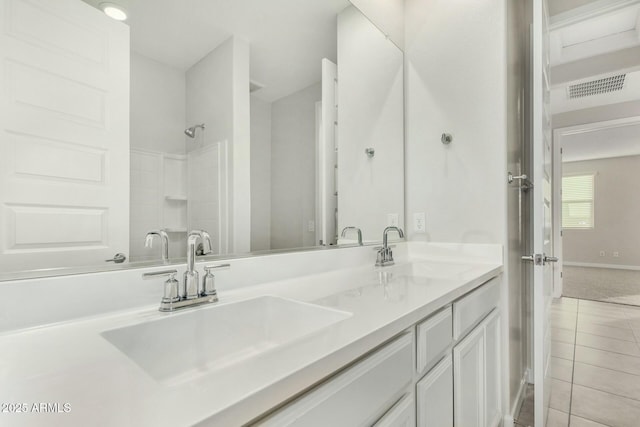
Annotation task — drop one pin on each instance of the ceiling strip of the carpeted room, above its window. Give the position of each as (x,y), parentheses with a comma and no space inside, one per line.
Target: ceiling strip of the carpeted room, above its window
(603,143)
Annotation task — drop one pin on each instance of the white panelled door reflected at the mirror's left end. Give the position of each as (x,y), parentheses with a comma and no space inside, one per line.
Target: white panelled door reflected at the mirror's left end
(64,135)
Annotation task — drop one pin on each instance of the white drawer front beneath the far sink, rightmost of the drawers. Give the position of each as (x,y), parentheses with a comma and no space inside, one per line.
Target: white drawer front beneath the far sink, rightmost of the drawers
(472,308)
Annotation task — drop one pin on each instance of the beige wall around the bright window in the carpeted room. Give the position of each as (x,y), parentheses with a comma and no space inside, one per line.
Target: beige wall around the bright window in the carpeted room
(617,209)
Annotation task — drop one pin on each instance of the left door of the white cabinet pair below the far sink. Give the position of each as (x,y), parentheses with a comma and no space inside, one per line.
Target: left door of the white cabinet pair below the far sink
(468,359)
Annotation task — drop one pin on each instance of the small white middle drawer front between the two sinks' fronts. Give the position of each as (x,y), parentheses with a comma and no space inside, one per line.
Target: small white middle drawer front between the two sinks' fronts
(434,336)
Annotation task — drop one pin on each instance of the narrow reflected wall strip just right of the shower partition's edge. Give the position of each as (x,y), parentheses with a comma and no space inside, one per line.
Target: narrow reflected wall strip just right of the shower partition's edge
(260,174)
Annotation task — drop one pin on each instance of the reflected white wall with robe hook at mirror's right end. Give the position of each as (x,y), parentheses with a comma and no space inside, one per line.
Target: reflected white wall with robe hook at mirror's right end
(370,114)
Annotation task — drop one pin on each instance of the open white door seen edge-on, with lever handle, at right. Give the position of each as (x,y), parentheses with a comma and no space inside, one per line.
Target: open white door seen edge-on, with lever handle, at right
(541,210)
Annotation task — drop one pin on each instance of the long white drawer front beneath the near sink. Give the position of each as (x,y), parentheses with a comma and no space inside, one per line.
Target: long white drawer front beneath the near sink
(357,396)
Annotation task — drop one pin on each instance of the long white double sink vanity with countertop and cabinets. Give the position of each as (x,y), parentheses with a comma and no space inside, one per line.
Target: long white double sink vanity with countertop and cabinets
(350,343)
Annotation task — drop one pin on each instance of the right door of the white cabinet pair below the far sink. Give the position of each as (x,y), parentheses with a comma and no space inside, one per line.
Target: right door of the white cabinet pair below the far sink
(492,410)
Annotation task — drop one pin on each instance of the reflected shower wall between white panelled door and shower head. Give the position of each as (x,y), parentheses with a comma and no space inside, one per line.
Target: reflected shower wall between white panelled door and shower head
(158,111)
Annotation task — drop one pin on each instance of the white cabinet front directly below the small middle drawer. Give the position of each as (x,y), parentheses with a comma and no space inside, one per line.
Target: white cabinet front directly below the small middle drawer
(435,396)
